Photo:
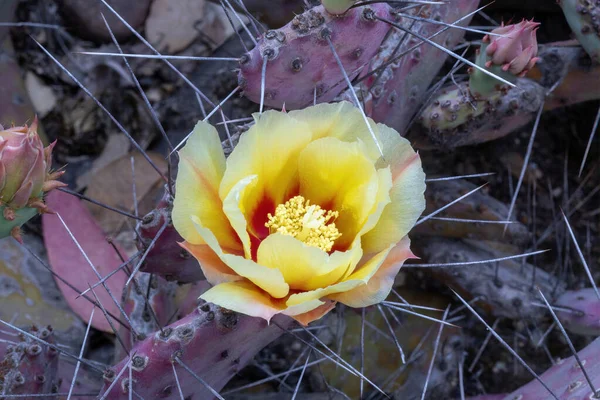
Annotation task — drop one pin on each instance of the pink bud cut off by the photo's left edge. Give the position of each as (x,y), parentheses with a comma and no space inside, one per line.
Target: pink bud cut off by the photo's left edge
(24,177)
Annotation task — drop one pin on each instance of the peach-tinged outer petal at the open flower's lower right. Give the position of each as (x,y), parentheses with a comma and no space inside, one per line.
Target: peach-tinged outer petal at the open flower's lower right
(380,284)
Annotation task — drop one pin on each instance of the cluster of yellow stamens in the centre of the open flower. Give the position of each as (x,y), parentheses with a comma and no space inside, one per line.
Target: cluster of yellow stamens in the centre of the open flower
(308,223)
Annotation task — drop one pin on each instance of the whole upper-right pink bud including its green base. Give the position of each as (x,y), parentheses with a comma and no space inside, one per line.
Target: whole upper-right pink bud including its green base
(510,51)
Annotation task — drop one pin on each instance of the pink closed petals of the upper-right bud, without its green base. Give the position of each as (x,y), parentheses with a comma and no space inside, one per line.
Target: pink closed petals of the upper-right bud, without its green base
(516,49)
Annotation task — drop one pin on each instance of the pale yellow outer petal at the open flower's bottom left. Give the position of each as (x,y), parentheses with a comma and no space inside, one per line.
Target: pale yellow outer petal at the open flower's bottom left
(245,298)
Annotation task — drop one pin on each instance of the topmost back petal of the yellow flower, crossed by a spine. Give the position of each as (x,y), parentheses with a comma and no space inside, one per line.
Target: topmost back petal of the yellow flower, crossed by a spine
(344,121)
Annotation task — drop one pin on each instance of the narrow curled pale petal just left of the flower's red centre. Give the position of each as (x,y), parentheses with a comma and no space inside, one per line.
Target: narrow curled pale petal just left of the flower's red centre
(234,210)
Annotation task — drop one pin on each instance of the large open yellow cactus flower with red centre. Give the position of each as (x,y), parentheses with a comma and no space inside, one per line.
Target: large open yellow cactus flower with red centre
(304,213)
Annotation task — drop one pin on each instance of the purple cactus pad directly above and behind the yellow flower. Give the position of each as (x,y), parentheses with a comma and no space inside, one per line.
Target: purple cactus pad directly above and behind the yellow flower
(299,53)
